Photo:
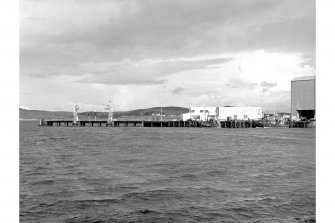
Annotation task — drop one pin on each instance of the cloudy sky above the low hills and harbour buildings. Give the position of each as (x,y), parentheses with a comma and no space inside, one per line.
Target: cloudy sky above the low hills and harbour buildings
(148,53)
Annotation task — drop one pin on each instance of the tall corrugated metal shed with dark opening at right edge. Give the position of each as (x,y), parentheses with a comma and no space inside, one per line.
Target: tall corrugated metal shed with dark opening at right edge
(303,97)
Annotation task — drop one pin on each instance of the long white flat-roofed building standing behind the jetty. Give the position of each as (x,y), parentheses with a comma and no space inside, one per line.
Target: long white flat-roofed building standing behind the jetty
(224,113)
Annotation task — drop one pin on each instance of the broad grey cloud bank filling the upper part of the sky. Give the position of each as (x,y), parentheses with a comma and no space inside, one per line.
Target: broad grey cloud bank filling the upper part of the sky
(55,35)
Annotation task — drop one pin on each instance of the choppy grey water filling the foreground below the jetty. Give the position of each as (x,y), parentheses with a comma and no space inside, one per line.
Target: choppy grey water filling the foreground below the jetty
(97,174)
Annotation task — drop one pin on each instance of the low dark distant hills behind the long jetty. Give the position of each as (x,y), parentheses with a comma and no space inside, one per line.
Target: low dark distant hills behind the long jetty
(138,114)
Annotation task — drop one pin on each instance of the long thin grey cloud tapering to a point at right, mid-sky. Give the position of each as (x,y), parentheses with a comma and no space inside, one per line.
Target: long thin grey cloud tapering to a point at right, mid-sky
(145,72)
